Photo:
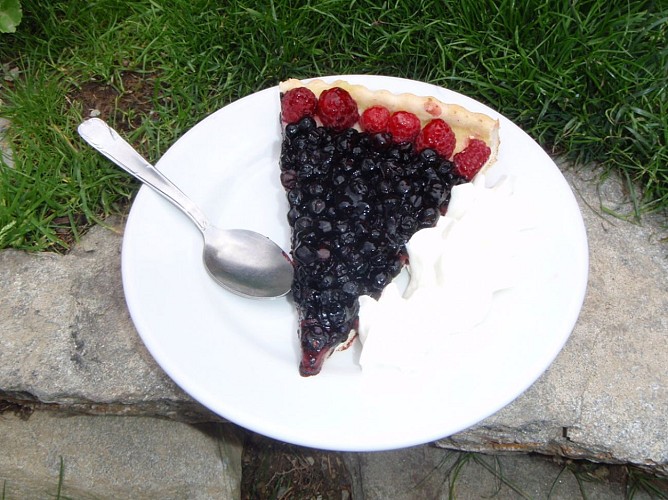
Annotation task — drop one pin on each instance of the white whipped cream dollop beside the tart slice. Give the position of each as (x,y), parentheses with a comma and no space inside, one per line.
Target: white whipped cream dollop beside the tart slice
(475,250)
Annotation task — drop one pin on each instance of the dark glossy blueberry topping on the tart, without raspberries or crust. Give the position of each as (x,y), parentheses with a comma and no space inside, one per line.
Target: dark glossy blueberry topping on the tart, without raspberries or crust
(355,200)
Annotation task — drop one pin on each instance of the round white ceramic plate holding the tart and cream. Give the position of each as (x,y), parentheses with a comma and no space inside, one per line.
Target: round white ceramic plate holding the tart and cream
(239,357)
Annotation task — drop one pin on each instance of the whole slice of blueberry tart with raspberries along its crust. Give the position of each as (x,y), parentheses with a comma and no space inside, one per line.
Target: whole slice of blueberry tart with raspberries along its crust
(363,171)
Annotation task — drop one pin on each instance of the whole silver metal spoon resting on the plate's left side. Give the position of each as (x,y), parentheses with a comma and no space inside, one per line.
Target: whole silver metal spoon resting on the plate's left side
(244,262)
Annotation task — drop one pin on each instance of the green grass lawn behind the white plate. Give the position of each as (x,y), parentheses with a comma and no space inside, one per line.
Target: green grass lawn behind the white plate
(586,79)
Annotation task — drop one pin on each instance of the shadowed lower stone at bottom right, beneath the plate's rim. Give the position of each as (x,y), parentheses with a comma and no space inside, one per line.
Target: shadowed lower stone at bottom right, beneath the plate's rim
(429,472)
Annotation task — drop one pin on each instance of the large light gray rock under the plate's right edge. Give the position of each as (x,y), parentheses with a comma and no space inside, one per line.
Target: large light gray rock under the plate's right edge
(605,397)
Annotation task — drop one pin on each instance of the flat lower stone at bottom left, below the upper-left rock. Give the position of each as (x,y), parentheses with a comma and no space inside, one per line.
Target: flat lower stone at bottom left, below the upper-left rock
(117,457)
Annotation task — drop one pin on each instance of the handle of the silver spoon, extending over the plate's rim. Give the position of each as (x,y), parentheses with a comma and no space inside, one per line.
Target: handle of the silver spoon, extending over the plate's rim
(107,141)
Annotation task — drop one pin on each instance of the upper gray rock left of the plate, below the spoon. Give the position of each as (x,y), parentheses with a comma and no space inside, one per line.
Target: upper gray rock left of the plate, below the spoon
(68,341)
